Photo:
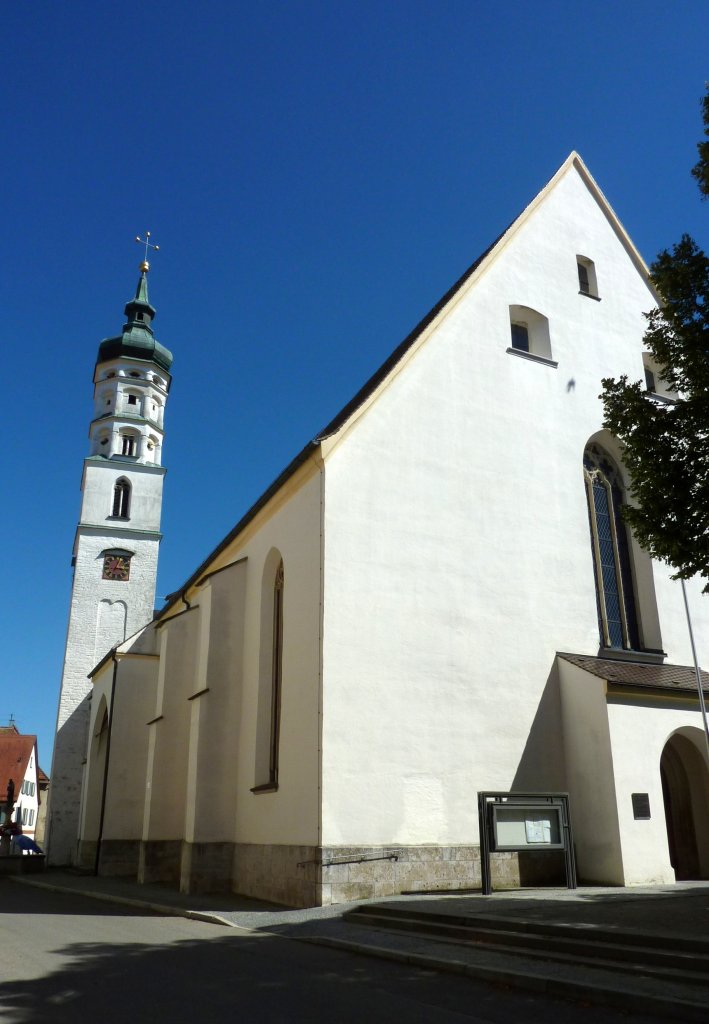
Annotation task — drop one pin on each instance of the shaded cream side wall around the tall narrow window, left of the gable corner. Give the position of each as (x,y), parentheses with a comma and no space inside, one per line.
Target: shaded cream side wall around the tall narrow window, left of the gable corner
(225,758)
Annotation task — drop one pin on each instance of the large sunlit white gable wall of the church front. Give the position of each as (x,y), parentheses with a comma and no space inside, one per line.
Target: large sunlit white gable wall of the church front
(457,552)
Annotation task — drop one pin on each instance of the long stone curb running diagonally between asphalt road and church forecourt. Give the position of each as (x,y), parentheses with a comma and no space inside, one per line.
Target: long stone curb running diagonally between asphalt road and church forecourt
(585,992)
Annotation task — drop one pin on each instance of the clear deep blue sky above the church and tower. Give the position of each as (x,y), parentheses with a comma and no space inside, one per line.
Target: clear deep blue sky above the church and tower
(317,176)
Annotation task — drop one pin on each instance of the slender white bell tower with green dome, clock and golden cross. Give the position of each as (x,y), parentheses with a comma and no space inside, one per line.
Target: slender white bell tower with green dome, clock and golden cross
(117,540)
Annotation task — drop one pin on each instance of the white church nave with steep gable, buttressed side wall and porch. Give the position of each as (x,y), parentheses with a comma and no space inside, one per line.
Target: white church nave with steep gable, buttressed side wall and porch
(437,599)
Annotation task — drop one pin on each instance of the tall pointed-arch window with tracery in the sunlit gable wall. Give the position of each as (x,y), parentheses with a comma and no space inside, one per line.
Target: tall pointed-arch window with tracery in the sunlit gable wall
(614,584)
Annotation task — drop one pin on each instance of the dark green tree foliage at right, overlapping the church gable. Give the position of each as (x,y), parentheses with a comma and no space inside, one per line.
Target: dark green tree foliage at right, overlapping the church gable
(666,446)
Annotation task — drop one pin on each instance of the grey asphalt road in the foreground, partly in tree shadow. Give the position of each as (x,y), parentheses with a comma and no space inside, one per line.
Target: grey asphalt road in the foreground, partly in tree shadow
(68,959)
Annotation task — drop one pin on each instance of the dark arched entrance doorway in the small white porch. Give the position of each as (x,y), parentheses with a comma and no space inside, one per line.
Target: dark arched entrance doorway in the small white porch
(686,792)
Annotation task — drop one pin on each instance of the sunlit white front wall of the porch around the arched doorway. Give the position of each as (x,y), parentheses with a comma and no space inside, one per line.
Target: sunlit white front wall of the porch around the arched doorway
(639,734)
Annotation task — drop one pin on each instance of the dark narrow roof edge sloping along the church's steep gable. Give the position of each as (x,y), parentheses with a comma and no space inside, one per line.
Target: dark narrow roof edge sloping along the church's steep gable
(400,354)
